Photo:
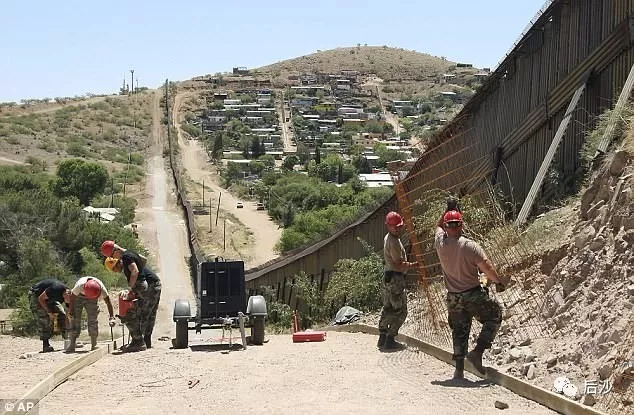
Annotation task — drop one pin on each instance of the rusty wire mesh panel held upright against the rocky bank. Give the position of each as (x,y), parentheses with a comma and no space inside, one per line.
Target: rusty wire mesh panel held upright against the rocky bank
(485,210)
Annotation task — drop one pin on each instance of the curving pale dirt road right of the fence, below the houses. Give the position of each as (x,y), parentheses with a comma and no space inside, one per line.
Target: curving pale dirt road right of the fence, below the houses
(266,233)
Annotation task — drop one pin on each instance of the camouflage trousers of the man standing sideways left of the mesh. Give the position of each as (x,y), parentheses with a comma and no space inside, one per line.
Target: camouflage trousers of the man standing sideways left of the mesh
(394,309)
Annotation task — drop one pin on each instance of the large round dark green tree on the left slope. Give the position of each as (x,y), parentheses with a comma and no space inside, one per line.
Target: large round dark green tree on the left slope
(81,179)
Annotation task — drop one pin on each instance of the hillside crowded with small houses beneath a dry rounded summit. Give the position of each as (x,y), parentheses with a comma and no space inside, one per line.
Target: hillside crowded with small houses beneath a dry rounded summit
(373,104)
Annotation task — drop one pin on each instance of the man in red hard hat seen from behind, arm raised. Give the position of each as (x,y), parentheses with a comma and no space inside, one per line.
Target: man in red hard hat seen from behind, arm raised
(461,260)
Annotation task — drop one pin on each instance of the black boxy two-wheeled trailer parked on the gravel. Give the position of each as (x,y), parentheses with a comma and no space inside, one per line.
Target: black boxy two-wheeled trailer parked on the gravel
(220,304)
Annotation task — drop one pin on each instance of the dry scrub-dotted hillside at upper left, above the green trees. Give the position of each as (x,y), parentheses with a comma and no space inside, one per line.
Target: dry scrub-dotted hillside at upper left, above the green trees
(99,128)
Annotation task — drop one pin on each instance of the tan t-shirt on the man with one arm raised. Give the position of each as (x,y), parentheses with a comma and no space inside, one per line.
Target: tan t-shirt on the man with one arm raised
(458,258)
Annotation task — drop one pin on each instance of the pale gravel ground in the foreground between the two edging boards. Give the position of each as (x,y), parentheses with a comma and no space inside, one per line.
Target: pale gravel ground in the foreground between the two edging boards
(343,375)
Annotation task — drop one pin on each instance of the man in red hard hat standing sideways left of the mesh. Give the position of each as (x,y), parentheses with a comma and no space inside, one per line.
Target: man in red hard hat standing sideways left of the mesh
(394,309)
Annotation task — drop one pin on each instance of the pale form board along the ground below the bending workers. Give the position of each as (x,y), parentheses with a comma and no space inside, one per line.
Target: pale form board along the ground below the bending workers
(53,380)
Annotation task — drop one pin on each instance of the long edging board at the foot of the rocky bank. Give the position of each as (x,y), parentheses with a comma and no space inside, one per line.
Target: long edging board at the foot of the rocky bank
(549,399)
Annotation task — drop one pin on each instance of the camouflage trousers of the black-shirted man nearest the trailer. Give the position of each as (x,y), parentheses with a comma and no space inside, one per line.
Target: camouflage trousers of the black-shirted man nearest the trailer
(141,318)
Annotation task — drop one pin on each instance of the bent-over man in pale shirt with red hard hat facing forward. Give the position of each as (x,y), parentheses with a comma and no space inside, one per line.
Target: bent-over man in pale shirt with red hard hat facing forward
(84,295)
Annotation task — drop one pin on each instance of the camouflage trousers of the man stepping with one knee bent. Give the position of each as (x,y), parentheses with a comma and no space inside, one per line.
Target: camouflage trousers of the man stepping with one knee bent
(462,308)
